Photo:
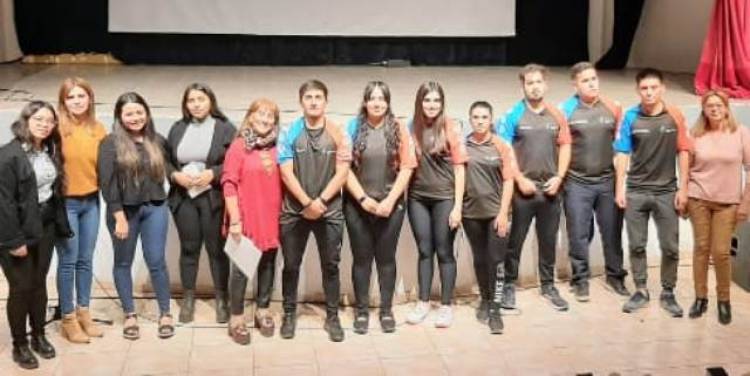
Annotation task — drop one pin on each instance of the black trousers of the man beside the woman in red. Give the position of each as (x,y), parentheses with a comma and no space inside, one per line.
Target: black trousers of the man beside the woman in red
(294,236)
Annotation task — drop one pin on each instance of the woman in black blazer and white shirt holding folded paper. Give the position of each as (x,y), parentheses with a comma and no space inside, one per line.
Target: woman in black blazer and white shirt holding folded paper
(195,196)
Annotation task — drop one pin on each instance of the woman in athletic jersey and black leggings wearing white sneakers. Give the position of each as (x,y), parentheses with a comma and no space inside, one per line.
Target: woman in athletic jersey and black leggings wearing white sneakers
(435,198)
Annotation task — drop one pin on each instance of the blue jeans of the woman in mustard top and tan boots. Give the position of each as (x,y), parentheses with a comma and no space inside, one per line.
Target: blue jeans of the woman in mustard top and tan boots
(75,255)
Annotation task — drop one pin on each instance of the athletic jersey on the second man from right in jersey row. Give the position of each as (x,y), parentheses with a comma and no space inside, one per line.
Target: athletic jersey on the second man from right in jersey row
(593,129)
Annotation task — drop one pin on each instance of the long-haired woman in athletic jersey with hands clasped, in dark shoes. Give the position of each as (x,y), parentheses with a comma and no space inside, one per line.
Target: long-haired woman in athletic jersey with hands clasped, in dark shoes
(383,161)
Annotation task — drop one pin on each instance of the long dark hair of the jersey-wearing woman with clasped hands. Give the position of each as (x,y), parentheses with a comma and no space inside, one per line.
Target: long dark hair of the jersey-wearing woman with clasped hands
(392,131)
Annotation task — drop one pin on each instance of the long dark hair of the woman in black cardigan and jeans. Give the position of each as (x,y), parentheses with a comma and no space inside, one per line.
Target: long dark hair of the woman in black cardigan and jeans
(127,154)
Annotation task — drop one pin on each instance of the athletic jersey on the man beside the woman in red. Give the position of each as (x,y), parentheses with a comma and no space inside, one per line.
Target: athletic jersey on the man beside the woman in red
(314,154)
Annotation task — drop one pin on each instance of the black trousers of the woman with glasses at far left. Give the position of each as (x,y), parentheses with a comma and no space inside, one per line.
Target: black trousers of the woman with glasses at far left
(27,282)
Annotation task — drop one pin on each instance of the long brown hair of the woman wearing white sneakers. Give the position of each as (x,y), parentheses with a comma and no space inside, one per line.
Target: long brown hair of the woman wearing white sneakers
(420,121)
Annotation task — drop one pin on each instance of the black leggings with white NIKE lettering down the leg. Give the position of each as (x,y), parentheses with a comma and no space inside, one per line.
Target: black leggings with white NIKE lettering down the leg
(489,252)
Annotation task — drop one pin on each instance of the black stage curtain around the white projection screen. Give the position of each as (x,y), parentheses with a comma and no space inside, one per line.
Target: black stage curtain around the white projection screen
(547,32)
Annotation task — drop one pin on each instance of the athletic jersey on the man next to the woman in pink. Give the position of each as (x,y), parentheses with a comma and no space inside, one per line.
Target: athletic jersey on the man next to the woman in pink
(652,142)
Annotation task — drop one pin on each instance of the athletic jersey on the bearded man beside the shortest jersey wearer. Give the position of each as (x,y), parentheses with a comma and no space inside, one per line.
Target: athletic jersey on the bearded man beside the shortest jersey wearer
(535,138)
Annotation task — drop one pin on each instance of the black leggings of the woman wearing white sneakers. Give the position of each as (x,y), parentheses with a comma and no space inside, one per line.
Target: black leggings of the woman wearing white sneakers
(429,222)
